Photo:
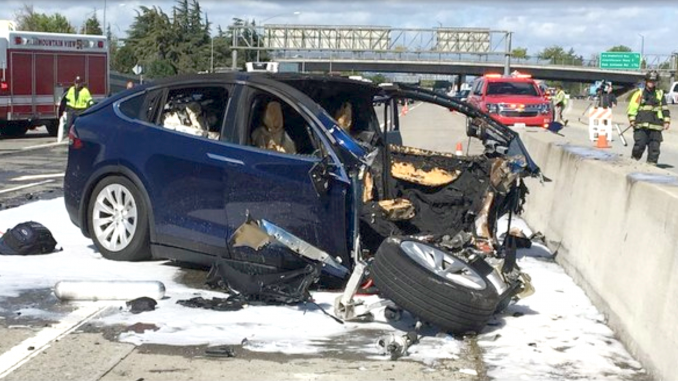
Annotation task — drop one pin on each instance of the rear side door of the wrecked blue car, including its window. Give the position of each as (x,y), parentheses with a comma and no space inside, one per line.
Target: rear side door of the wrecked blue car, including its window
(185,183)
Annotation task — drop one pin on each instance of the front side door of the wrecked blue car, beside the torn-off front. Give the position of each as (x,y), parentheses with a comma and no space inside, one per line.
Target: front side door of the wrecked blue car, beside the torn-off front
(276,185)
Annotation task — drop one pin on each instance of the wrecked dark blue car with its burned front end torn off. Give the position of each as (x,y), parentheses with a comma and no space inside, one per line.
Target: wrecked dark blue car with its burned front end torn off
(269,174)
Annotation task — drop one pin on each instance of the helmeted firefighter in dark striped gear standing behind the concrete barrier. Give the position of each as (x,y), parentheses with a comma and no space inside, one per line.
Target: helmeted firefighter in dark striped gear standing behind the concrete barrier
(649,115)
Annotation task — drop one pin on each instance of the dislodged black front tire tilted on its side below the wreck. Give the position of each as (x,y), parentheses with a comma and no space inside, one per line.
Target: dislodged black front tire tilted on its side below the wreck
(459,306)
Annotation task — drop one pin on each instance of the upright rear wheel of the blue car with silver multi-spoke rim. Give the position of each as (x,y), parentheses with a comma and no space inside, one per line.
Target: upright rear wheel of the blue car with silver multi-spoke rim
(116,198)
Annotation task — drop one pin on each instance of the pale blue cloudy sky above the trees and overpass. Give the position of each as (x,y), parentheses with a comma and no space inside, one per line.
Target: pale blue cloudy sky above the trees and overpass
(589,27)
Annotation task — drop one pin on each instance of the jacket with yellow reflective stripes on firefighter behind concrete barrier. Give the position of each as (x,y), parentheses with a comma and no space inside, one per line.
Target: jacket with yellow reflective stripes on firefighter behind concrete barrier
(648,111)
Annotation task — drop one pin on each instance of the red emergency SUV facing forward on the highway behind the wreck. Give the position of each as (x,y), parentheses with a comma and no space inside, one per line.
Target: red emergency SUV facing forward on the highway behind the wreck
(512,100)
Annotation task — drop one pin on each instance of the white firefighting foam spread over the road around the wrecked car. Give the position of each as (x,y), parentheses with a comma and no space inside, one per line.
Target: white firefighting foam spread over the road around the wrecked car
(554,334)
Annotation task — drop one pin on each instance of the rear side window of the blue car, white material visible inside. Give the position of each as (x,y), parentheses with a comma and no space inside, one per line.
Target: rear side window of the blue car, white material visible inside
(196,110)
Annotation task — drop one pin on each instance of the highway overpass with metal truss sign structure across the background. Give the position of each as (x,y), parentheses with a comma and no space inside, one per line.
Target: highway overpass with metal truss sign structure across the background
(443,50)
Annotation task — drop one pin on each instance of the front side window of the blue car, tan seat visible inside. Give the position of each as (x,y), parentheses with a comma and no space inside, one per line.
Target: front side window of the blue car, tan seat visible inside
(275,125)
